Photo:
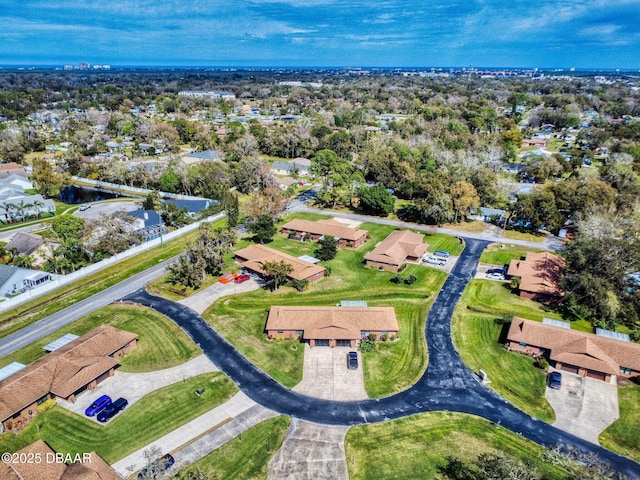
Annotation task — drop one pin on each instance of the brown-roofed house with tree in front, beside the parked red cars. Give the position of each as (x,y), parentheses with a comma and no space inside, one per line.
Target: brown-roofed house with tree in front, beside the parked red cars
(253,258)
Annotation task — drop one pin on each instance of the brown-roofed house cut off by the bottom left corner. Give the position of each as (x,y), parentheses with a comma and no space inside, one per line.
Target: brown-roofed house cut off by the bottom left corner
(52,466)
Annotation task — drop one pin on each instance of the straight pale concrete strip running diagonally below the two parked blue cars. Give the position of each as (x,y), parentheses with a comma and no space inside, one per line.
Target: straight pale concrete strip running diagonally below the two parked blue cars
(172,441)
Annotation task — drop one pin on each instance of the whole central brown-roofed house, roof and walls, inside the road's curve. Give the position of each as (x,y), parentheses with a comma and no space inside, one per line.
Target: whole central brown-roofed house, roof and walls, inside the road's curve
(330,326)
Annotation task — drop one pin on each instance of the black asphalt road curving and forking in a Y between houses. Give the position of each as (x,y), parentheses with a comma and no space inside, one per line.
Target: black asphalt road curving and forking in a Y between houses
(447,384)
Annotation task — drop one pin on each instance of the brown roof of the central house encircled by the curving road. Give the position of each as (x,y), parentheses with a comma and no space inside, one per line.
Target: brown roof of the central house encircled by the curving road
(332,322)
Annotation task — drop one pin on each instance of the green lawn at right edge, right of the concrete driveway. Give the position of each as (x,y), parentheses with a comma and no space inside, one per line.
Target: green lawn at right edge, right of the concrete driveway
(622,436)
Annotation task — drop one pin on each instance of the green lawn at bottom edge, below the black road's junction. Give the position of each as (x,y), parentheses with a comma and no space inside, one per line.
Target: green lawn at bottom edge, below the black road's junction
(414,447)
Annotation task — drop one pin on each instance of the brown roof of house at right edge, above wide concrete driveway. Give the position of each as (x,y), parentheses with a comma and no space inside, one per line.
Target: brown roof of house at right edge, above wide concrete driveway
(577,348)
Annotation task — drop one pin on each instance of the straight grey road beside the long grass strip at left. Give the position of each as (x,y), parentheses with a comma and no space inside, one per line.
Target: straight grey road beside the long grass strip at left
(50,324)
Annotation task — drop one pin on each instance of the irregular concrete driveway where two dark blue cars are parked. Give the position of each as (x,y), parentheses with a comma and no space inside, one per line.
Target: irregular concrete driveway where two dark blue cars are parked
(134,386)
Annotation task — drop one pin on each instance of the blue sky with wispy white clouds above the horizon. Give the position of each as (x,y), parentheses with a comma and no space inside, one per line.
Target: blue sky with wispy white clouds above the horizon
(386,33)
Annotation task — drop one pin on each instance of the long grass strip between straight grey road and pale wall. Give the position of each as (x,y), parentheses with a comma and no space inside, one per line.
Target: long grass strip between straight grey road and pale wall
(43,306)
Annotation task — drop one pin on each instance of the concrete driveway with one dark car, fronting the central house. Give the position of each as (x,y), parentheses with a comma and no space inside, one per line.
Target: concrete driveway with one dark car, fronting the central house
(326,375)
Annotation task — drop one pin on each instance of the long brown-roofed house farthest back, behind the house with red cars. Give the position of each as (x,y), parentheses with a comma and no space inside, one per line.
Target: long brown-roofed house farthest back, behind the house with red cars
(299,229)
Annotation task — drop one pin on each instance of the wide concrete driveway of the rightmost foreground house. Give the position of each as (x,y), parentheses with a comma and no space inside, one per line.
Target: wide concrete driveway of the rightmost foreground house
(584,406)
